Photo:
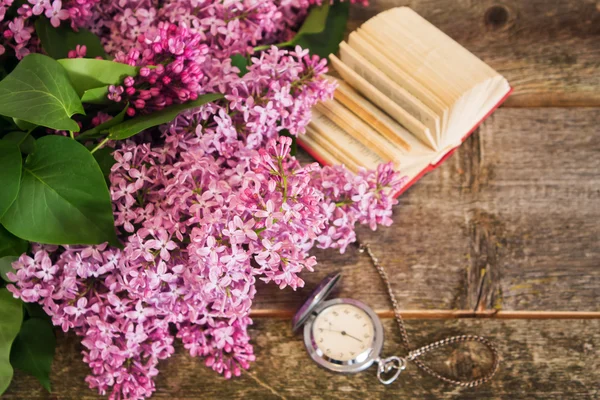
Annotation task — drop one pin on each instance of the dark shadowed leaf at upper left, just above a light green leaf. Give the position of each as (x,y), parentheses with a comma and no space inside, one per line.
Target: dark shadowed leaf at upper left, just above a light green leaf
(57,42)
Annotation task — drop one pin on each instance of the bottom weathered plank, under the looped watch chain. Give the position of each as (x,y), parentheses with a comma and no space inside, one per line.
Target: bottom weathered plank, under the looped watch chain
(541,359)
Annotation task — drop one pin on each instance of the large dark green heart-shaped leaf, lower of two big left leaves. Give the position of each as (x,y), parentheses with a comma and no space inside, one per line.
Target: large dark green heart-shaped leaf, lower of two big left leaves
(63,197)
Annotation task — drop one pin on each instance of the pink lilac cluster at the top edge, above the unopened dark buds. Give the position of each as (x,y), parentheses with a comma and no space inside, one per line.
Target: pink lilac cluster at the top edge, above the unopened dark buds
(227,27)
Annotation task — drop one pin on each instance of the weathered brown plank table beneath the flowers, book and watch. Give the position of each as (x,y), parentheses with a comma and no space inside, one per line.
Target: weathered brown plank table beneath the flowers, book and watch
(501,241)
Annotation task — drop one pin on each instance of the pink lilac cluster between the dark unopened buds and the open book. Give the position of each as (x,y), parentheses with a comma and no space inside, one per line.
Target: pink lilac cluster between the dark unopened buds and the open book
(276,94)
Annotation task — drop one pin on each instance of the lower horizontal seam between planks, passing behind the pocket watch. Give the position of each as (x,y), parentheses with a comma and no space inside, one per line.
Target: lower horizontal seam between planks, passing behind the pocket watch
(454,314)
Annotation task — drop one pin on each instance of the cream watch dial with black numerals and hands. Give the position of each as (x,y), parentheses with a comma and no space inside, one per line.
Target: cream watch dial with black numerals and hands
(343,332)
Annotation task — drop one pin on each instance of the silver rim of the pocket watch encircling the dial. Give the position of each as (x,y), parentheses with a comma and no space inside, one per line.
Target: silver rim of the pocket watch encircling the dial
(360,362)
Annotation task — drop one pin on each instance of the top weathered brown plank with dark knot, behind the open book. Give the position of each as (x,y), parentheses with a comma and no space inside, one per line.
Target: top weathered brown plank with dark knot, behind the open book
(548,50)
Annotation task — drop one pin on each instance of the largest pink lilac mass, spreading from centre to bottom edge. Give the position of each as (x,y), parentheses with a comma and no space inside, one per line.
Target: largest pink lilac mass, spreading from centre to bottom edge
(198,229)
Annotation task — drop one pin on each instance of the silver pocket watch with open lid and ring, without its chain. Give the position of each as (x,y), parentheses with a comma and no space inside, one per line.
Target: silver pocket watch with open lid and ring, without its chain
(344,335)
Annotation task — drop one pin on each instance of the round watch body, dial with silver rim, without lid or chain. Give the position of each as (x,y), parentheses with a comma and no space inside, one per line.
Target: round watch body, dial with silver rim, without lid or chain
(343,335)
